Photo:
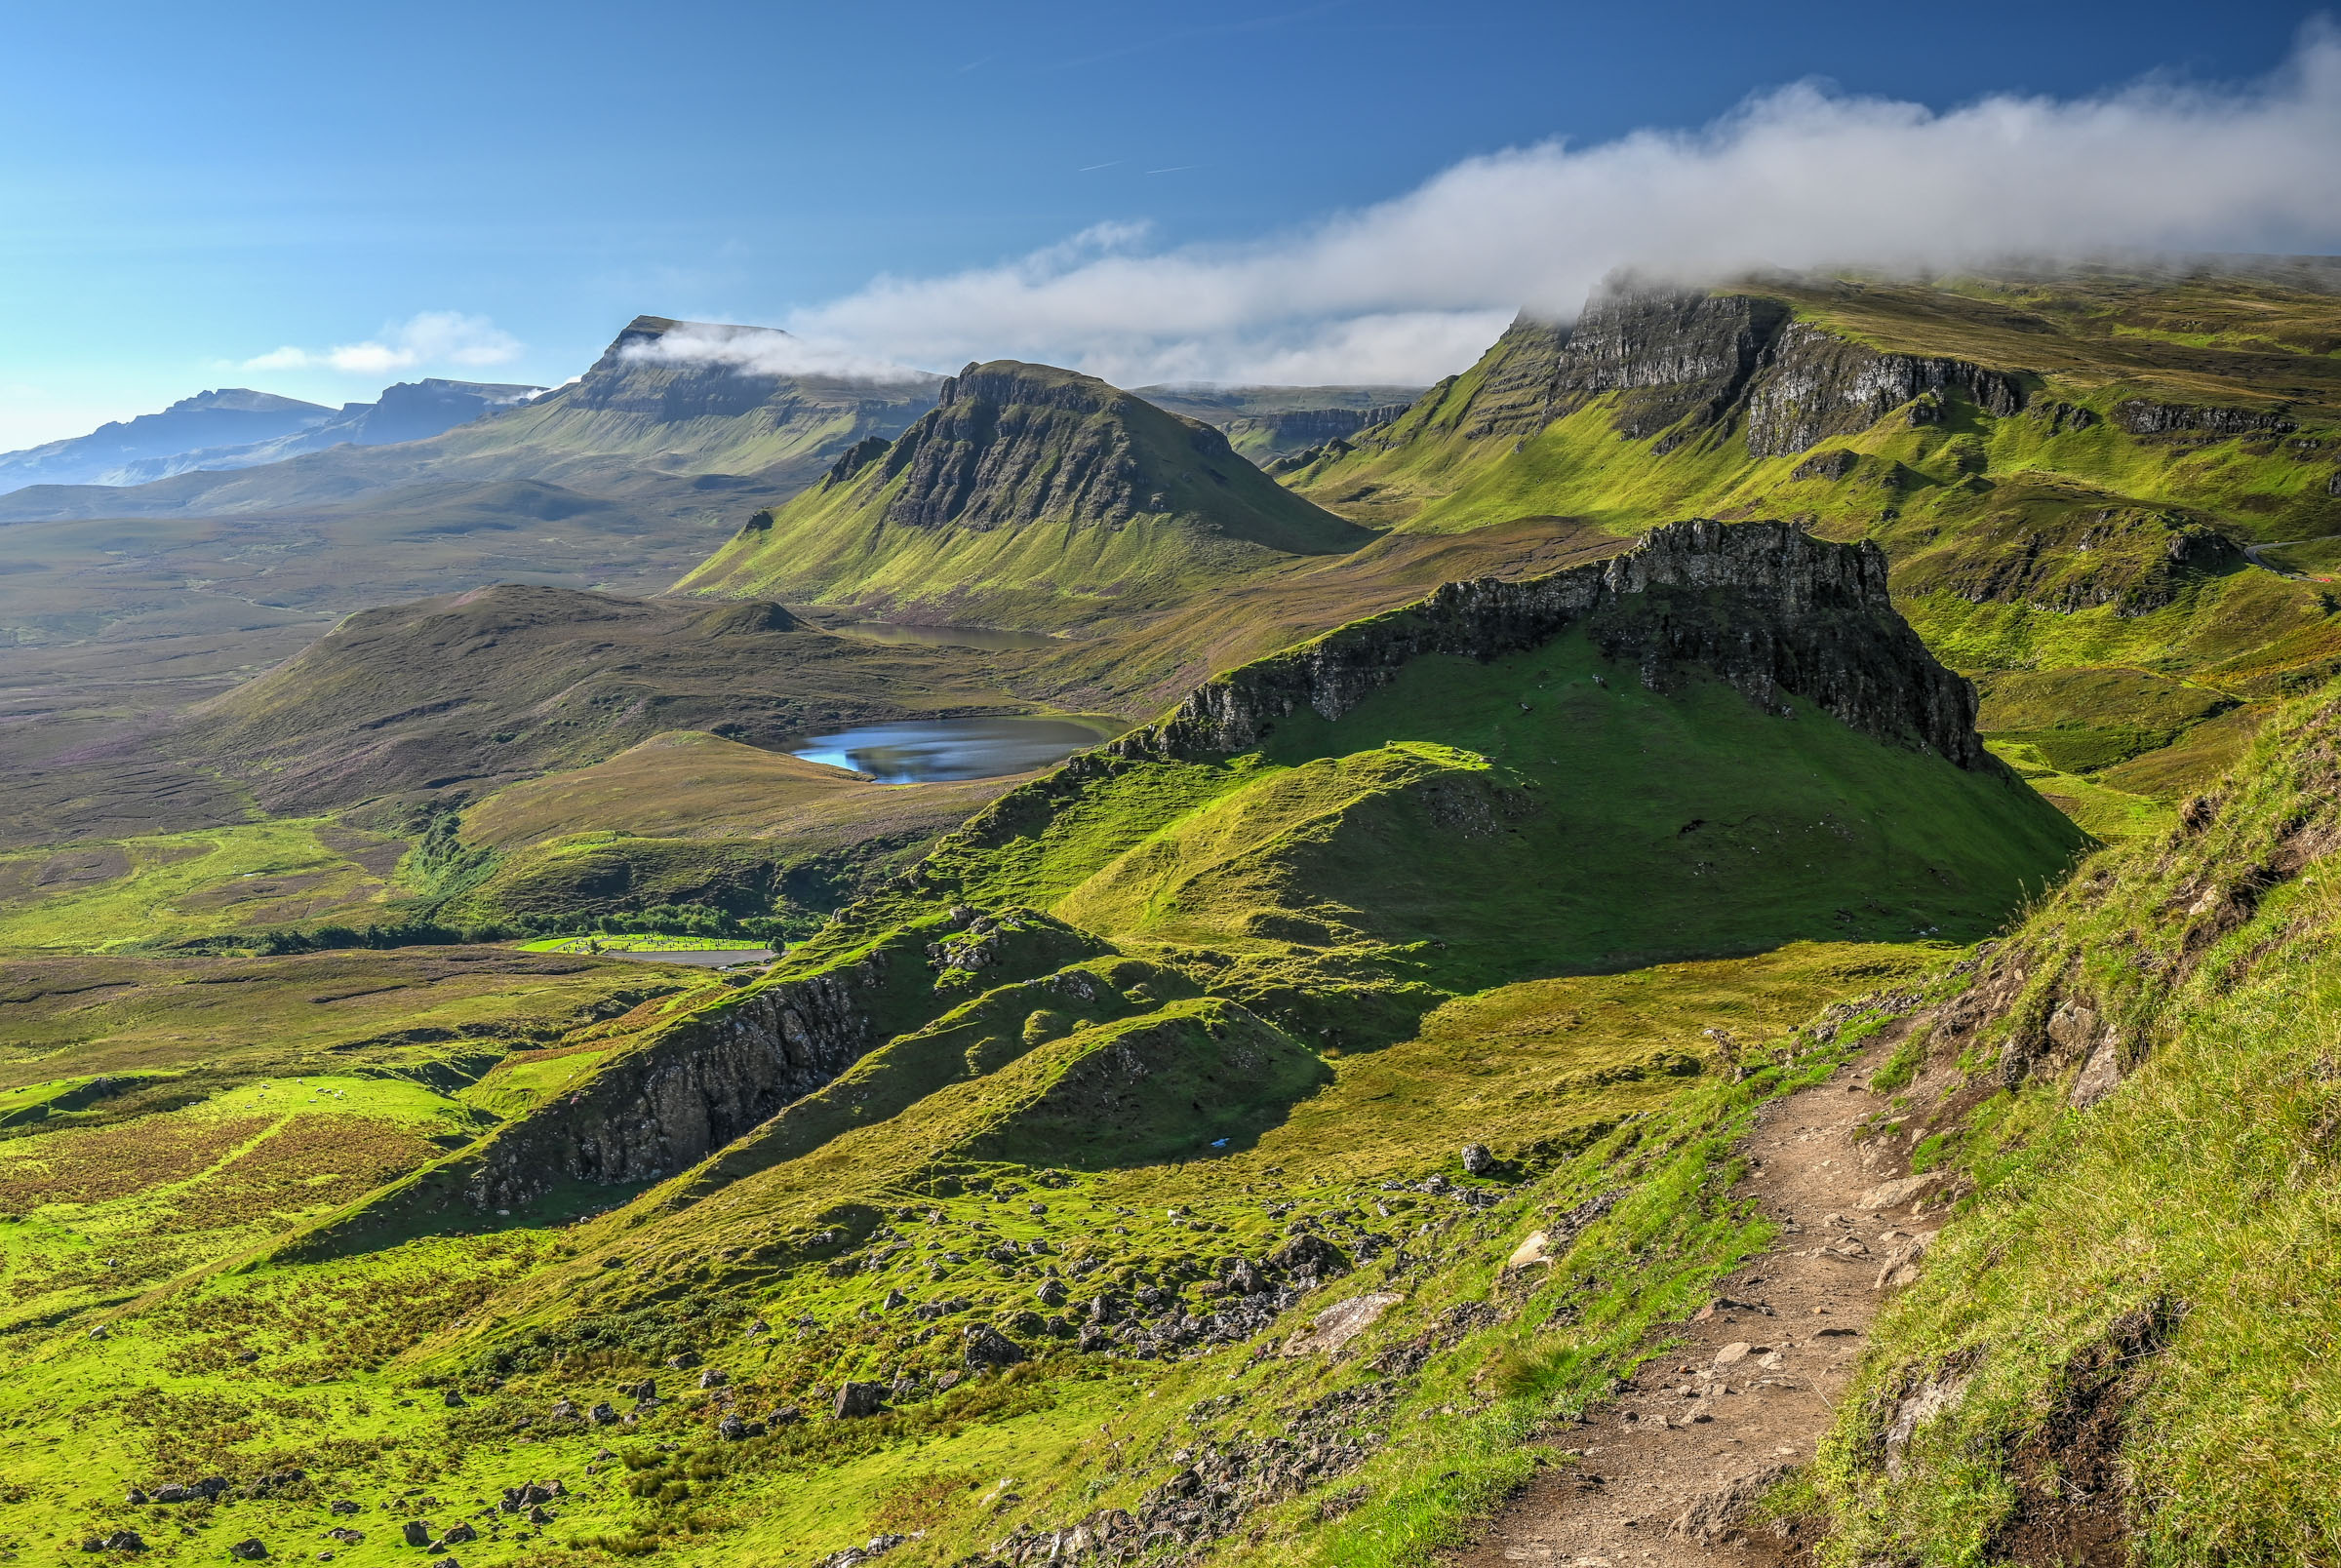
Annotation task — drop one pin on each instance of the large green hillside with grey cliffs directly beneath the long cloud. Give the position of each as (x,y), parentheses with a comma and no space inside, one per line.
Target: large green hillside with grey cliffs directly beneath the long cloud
(2071,474)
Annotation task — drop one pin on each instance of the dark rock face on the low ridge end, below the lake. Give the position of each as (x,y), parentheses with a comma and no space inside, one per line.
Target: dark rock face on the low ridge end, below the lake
(687,1094)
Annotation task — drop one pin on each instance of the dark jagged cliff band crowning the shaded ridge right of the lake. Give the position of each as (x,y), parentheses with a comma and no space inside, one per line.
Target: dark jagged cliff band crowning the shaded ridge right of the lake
(1762,605)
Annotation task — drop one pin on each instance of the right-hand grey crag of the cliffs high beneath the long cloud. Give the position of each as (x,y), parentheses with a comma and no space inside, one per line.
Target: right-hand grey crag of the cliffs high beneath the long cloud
(1818,385)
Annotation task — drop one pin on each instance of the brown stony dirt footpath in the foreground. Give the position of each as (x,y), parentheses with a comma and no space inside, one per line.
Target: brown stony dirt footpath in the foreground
(1663,1476)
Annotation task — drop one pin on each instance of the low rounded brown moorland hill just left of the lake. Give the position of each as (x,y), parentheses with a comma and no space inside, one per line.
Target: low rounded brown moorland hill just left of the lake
(507,682)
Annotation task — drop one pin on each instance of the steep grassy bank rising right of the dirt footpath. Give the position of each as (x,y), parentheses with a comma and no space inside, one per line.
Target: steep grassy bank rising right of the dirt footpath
(2122,1345)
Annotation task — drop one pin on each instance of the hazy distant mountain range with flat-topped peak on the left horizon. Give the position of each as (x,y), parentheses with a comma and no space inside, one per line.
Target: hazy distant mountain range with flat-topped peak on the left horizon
(673,415)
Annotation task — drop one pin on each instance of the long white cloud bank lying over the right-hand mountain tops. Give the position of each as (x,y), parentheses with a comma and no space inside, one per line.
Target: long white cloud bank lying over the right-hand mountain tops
(1804,177)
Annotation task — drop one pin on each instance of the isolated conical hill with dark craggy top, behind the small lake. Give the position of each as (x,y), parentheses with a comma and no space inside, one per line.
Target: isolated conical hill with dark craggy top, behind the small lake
(1034,497)
